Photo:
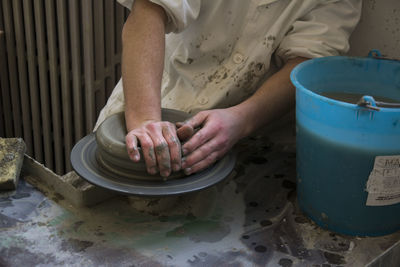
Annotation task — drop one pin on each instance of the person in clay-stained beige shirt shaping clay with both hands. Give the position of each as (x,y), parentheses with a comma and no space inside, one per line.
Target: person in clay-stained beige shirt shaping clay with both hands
(228,63)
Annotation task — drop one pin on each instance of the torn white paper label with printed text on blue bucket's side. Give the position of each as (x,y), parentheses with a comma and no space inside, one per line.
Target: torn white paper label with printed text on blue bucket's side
(383,185)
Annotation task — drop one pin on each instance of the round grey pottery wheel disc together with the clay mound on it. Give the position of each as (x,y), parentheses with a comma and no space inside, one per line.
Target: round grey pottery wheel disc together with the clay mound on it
(101,159)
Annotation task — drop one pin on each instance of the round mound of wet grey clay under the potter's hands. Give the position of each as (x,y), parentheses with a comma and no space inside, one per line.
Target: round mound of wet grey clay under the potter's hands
(111,148)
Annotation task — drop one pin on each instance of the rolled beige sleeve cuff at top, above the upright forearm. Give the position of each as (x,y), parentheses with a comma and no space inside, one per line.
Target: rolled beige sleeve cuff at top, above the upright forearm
(180,13)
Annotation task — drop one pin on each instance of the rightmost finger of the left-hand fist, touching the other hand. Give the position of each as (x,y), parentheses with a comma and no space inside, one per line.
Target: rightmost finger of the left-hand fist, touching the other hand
(170,135)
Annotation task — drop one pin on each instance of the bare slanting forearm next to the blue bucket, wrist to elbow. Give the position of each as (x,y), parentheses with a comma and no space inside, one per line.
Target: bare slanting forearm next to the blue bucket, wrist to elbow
(273,99)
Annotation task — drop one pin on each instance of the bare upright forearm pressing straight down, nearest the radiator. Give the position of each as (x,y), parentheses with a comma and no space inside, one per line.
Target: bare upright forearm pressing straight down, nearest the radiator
(143,40)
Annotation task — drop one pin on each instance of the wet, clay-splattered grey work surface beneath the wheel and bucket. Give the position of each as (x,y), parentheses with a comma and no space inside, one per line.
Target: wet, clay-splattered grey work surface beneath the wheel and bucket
(251,219)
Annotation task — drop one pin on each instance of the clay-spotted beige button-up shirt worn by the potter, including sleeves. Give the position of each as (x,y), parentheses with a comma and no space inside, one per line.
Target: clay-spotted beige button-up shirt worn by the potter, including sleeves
(219,51)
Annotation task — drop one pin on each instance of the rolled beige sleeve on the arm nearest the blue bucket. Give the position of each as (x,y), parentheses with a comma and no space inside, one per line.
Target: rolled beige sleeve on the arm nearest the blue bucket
(323,31)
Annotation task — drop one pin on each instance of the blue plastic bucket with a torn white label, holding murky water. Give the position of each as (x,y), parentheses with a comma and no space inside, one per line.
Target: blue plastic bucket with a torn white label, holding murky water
(338,144)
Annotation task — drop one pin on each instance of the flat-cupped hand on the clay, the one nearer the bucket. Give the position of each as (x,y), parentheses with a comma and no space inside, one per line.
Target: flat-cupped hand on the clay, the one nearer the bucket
(219,130)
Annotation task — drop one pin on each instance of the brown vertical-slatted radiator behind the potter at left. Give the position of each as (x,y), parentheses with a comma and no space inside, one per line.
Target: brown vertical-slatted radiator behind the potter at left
(59,61)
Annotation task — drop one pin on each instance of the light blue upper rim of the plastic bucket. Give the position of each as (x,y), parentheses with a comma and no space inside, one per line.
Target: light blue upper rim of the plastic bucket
(299,86)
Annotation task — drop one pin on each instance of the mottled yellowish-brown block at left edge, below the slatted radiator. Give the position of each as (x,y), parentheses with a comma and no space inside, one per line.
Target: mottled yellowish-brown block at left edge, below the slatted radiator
(11,158)
